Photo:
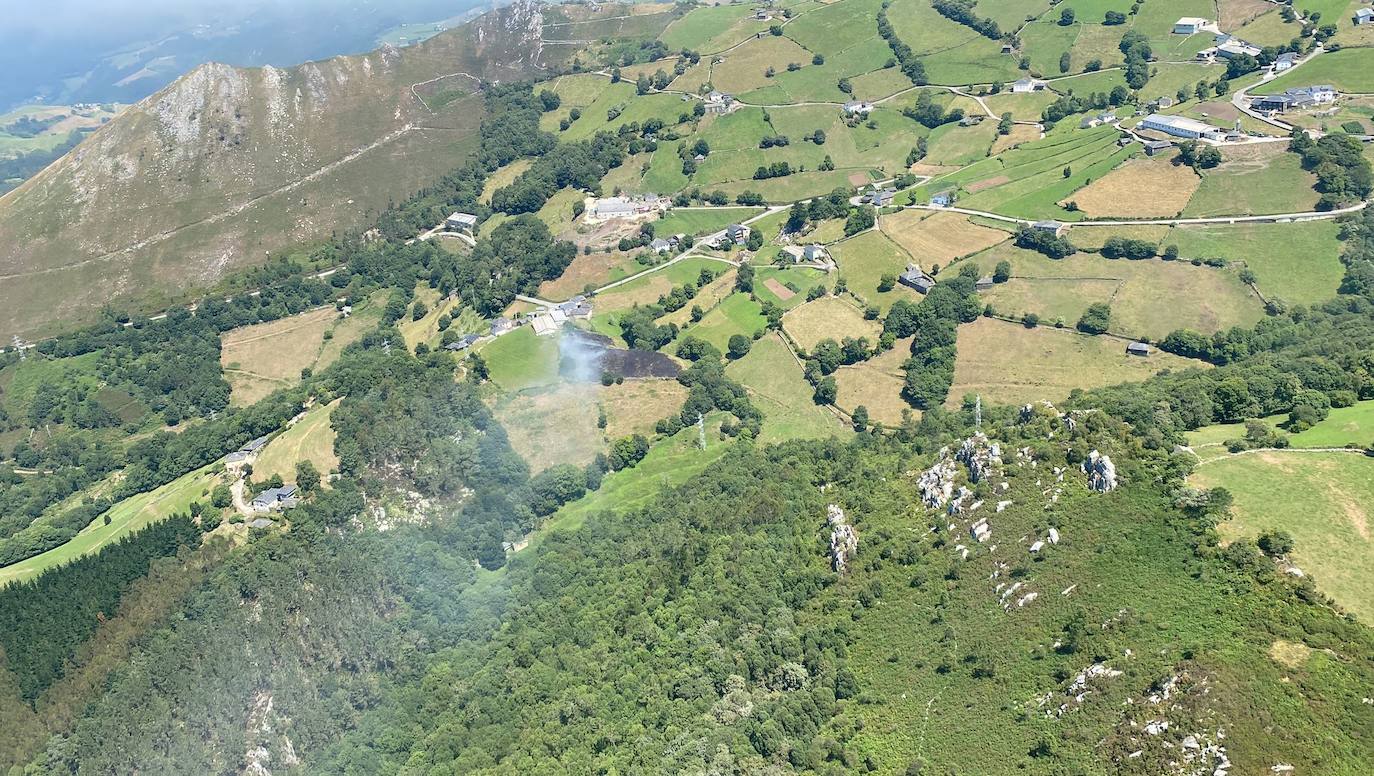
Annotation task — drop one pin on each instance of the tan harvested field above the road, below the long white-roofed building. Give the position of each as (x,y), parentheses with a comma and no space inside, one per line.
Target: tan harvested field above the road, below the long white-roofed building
(1144,187)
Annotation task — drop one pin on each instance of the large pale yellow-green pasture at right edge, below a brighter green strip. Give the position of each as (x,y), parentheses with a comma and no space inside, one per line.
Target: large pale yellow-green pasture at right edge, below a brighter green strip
(1322,499)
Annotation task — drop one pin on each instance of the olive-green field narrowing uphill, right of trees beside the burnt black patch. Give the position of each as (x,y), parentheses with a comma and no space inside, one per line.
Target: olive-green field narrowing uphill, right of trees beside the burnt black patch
(780,391)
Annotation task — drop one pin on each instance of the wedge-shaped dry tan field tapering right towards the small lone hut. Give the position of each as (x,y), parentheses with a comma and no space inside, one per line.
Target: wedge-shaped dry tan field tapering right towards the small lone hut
(1008,363)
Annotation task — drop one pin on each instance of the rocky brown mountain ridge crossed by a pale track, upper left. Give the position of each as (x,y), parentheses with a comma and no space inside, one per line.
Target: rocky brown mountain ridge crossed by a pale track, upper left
(227,164)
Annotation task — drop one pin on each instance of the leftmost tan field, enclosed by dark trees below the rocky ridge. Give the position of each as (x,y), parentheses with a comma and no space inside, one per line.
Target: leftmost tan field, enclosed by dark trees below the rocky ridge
(269,356)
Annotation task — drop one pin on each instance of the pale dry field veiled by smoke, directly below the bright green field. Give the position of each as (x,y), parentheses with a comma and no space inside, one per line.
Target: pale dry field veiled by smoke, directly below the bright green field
(552,425)
